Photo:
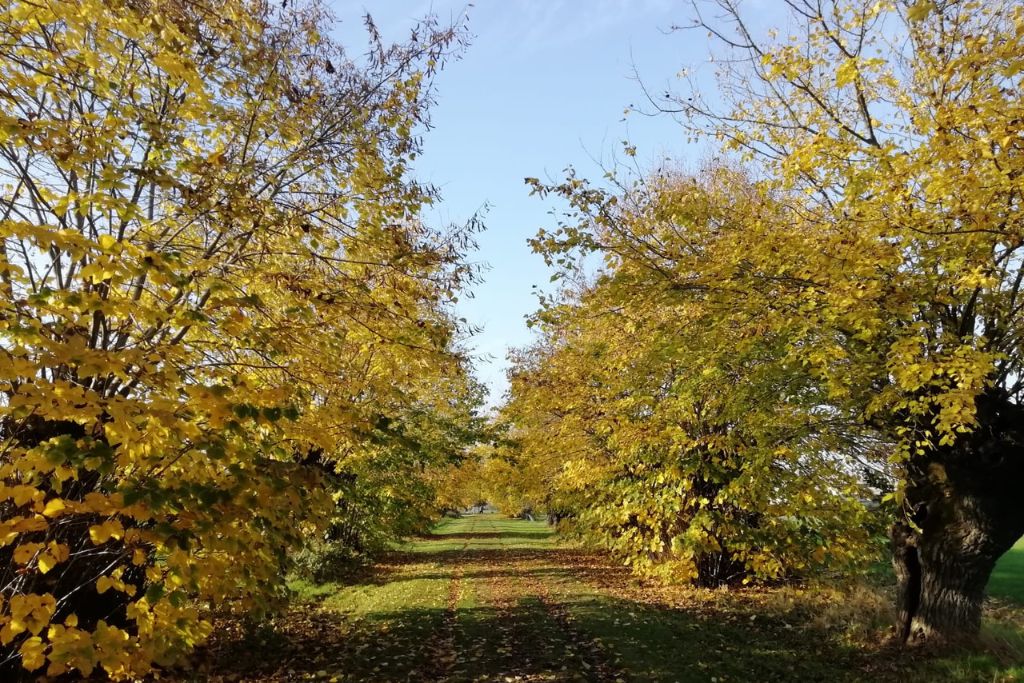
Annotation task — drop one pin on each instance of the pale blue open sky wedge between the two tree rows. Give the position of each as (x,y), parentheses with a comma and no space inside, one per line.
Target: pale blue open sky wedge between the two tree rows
(544,86)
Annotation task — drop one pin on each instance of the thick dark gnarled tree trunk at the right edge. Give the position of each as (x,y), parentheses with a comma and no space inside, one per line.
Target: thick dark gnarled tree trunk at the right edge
(966,514)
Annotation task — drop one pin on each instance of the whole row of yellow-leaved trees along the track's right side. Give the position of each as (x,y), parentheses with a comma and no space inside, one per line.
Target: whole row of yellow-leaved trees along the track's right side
(819,330)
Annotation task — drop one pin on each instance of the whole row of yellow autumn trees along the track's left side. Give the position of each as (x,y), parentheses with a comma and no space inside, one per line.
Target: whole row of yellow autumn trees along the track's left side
(225,329)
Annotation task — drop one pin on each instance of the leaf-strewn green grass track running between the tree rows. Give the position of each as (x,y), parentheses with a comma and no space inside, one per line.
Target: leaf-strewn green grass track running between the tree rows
(488,599)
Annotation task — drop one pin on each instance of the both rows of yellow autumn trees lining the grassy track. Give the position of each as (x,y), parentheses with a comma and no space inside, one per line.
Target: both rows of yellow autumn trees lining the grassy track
(229,349)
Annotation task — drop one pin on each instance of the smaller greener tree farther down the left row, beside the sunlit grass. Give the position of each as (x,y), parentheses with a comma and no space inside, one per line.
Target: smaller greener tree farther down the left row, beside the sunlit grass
(396,482)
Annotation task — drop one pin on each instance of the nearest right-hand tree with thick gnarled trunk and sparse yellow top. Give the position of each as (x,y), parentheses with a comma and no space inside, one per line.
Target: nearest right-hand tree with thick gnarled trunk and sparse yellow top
(885,143)
